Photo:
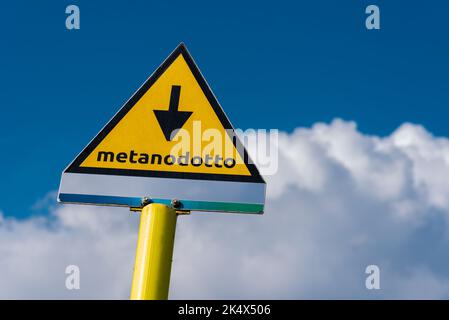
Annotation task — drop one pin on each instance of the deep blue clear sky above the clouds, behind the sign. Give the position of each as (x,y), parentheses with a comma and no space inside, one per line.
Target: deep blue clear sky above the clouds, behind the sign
(271,64)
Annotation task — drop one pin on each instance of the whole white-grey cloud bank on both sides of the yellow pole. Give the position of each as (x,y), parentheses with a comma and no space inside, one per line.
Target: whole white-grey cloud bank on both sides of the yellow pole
(340,201)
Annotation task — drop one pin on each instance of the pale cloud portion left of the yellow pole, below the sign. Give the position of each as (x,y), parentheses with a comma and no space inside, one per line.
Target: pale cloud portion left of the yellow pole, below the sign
(35,253)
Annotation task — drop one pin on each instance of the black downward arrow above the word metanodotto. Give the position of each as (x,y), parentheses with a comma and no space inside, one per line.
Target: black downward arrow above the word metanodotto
(172,119)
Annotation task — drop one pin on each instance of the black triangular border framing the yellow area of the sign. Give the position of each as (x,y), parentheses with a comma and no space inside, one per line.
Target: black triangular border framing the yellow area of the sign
(75,167)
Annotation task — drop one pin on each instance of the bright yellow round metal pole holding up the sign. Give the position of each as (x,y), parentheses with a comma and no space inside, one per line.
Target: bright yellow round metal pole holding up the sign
(151,278)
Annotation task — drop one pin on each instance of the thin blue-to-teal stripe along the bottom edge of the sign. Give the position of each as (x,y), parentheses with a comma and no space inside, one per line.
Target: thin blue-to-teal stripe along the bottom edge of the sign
(185,204)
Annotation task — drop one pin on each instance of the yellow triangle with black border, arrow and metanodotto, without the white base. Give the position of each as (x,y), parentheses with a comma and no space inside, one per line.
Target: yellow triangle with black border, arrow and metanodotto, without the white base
(173,126)
